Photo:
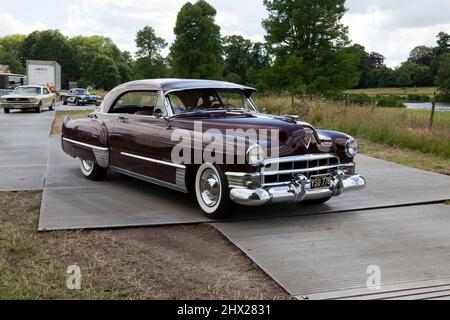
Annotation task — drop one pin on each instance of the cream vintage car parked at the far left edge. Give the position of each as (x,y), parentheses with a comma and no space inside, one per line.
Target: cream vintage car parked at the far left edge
(28,97)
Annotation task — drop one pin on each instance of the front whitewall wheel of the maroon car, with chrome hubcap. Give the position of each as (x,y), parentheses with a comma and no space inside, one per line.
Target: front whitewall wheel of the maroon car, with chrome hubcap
(211,191)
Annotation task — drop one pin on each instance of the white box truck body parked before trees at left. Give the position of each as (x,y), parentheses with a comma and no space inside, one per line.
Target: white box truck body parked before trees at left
(44,73)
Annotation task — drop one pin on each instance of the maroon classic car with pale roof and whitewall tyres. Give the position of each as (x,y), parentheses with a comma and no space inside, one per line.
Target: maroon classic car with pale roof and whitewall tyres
(208,138)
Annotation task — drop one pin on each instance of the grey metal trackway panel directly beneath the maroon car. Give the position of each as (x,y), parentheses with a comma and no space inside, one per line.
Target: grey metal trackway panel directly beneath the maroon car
(72,202)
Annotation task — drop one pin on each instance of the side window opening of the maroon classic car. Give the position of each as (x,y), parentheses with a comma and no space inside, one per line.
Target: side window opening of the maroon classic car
(136,102)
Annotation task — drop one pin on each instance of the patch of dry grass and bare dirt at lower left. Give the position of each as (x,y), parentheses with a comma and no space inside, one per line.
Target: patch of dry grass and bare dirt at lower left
(179,262)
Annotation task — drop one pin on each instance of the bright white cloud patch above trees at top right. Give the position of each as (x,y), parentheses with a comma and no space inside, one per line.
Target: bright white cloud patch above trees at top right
(395,28)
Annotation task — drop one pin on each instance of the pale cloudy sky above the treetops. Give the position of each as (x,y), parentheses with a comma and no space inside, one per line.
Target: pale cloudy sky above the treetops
(392,28)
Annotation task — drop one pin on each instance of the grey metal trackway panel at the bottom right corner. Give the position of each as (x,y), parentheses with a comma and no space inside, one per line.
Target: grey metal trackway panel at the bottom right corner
(328,256)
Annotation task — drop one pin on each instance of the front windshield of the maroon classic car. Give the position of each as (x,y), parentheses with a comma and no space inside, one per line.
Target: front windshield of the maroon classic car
(209,100)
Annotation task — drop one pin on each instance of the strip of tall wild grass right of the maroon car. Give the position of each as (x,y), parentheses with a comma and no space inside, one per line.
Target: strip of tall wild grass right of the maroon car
(403,128)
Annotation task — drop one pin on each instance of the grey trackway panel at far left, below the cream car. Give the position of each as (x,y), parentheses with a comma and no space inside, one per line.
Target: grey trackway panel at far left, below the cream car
(24,149)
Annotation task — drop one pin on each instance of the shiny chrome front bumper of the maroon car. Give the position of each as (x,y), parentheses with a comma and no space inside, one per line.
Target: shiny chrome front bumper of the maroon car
(297,191)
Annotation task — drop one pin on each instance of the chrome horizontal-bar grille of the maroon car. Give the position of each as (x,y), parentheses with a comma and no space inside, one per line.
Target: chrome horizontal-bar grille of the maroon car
(284,170)
